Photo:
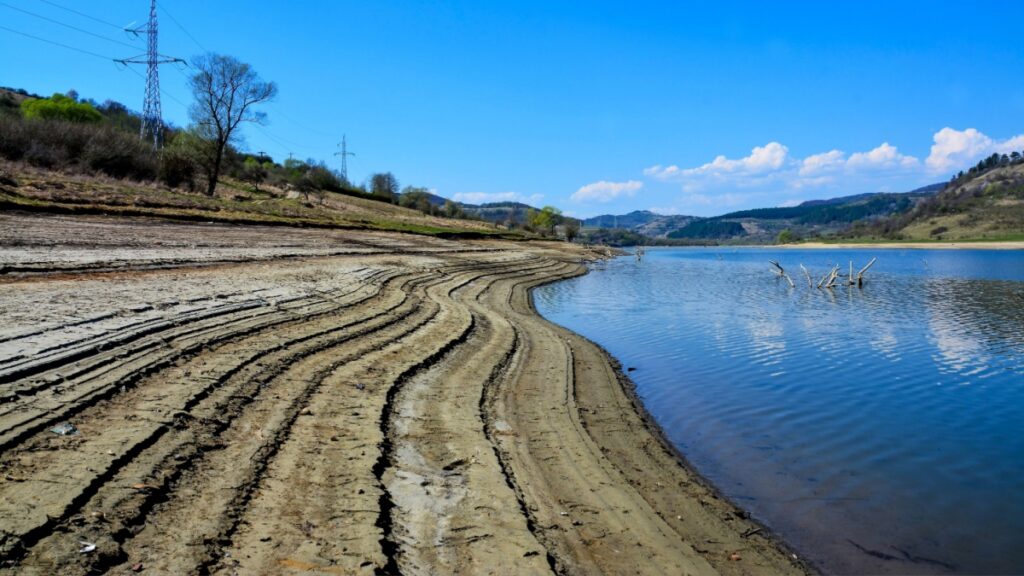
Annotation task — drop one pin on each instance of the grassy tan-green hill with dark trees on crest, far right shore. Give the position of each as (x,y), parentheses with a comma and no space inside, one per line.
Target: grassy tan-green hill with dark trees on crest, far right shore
(986,203)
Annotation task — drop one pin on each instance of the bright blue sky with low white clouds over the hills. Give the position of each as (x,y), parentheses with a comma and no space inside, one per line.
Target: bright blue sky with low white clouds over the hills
(592,107)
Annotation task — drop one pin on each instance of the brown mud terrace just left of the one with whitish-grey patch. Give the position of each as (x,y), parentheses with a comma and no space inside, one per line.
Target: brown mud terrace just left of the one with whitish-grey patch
(322,519)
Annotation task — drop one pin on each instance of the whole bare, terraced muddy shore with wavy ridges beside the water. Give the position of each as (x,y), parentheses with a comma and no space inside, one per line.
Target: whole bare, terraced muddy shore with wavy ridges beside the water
(249,401)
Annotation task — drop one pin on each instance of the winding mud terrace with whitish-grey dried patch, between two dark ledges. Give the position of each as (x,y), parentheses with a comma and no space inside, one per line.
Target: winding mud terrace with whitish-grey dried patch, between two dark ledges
(444,509)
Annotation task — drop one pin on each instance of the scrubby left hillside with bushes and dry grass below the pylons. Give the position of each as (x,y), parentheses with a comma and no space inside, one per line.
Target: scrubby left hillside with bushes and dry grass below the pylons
(69,155)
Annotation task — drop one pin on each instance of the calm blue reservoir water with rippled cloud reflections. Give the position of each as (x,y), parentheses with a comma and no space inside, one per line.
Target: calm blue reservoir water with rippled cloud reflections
(878,430)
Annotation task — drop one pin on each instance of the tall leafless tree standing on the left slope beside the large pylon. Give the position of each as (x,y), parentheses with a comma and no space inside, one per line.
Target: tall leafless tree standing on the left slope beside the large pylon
(226,92)
